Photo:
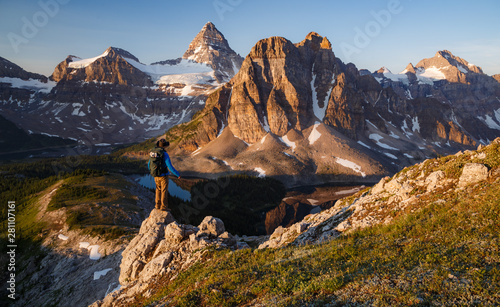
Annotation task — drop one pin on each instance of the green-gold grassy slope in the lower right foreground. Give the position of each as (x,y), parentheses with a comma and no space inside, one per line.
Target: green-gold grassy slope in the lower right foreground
(446,253)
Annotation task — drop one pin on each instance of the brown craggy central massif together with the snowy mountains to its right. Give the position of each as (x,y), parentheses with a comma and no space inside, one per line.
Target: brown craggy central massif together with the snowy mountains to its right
(298,93)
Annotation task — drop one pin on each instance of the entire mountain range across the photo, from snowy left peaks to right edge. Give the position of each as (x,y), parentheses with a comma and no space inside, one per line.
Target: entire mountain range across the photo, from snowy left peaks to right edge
(287,109)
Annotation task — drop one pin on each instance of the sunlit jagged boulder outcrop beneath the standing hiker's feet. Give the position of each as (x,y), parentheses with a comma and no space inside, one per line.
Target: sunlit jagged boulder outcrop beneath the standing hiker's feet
(164,248)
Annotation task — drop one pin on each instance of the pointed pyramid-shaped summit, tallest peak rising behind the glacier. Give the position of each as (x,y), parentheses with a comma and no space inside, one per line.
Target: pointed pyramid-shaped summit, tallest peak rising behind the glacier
(211,47)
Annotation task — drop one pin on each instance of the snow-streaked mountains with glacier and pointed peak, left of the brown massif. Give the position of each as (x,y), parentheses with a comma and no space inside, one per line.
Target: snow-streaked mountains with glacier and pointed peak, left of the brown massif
(113,97)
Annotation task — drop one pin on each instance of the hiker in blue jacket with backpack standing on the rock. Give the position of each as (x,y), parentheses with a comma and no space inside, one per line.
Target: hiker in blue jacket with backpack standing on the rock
(159,166)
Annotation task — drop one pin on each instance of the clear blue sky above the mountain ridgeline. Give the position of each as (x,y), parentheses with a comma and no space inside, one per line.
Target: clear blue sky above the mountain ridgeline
(371,34)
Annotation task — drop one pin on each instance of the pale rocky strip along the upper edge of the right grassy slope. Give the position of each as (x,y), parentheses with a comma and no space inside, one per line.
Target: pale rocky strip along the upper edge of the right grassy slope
(407,191)
